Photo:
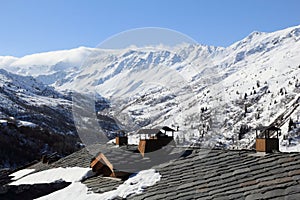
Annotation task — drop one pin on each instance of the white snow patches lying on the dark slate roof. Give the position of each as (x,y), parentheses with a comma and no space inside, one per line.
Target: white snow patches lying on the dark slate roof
(77,190)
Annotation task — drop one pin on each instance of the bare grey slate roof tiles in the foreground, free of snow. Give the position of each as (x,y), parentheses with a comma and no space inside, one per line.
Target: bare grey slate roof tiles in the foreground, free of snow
(209,174)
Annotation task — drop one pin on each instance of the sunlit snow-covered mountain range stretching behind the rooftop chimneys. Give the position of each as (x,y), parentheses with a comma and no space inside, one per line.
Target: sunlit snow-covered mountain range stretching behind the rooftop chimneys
(208,91)
